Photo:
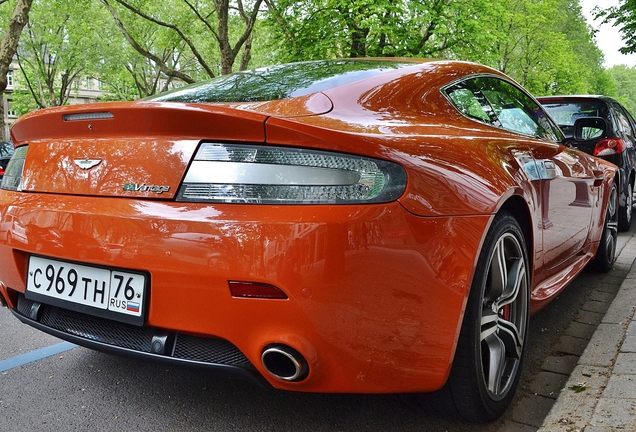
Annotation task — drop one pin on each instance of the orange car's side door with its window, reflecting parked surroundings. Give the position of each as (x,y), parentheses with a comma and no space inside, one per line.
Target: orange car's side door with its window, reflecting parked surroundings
(564,178)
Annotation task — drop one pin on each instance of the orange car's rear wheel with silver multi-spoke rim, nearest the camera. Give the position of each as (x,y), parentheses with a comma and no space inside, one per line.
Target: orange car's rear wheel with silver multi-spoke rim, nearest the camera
(492,341)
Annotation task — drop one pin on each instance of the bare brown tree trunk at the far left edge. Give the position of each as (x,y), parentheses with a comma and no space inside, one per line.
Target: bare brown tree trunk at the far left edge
(9,45)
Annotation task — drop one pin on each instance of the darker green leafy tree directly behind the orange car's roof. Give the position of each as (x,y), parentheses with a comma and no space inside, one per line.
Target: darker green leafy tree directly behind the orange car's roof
(310,29)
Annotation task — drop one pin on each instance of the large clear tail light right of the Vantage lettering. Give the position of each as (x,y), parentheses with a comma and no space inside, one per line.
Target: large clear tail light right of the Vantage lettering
(233,173)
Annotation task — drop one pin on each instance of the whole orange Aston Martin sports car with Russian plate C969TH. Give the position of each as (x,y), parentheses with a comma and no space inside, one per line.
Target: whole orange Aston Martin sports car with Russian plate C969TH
(359,226)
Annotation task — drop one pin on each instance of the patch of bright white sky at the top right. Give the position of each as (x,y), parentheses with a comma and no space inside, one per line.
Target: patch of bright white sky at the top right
(608,38)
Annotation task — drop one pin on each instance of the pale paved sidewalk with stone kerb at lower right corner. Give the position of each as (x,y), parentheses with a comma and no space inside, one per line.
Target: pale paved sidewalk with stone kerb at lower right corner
(600,394)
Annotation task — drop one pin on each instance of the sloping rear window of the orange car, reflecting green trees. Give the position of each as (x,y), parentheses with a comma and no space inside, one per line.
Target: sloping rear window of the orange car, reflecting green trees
(279,82)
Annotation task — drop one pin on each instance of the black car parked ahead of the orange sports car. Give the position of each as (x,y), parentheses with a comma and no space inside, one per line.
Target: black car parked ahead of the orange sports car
(614,140)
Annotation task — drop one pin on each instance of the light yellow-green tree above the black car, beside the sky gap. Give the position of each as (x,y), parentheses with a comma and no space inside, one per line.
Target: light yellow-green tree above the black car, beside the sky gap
(546,45)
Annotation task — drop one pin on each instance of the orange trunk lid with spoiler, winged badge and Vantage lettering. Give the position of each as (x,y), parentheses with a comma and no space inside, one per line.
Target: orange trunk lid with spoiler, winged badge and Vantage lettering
(132,149)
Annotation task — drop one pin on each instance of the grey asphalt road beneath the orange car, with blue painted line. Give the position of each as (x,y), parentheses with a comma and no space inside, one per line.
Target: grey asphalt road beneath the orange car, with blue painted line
(82,390)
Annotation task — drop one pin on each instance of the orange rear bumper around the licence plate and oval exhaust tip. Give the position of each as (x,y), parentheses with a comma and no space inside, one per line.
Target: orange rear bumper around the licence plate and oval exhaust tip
(375,294)
